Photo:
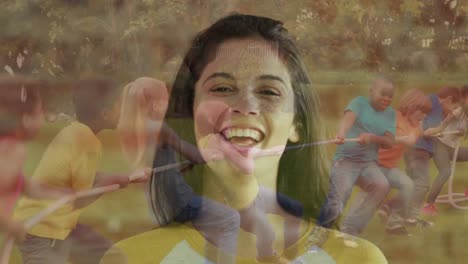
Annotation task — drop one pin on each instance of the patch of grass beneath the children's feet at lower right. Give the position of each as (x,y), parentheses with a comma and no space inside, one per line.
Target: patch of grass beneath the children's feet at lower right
(443,243)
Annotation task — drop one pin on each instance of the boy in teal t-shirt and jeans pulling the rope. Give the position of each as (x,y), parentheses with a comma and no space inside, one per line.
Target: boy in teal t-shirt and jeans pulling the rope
(372,120)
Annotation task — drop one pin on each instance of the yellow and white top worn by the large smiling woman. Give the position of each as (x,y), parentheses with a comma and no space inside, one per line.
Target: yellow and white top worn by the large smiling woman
(184,244)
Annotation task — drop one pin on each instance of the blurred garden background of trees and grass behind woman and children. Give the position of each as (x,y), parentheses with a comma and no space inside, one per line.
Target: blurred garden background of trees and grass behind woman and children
(419,43)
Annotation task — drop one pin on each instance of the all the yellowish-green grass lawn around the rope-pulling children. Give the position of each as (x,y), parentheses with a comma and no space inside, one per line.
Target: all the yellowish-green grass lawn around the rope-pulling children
(124,213)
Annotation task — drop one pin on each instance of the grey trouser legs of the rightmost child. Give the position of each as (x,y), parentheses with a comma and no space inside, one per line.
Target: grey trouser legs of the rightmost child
(443,155)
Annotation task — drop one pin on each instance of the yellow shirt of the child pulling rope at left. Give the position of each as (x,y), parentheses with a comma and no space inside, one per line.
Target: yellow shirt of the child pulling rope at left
(69,162)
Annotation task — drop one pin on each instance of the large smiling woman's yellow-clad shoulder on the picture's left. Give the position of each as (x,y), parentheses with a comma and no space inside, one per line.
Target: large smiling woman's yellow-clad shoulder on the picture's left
(151,246)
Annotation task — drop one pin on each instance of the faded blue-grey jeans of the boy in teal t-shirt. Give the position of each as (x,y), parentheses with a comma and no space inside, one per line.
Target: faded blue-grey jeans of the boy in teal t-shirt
(344,175)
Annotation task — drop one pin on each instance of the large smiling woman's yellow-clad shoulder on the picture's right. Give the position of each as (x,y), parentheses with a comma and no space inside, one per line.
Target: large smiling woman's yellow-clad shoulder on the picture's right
(344,248)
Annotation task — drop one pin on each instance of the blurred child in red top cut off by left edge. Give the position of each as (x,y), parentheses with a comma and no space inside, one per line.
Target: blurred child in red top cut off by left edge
(20,119)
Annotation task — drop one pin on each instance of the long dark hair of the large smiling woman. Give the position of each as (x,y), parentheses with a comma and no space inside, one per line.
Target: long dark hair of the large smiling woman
(302,172)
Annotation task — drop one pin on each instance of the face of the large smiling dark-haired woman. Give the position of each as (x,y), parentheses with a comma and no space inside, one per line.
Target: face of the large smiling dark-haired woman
(244,103)
